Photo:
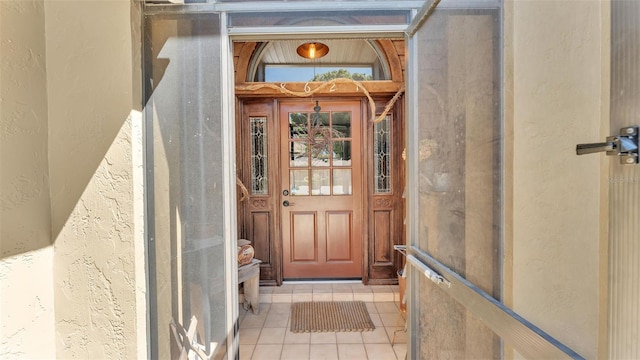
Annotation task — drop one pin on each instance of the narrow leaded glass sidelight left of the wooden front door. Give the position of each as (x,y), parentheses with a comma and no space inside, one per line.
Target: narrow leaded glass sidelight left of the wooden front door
(259,163)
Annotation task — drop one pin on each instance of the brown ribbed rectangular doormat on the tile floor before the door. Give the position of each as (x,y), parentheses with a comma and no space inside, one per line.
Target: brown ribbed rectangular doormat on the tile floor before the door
(327,316)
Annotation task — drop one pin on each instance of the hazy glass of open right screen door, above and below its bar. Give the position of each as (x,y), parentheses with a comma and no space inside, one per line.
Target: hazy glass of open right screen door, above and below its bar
(456,148)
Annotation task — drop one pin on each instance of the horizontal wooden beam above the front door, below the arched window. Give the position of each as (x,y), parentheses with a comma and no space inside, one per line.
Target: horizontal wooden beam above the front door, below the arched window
(375,88)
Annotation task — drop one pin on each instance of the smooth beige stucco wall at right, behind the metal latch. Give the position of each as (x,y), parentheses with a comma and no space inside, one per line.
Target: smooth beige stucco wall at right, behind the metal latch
(554,100)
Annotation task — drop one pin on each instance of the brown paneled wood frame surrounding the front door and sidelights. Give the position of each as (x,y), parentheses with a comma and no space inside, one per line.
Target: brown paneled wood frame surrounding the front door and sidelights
(380,270)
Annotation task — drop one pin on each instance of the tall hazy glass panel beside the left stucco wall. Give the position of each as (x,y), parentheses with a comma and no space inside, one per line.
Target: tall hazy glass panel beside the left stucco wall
(184,122)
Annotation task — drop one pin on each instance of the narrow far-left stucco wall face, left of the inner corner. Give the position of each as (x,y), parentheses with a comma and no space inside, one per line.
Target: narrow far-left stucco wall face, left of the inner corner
(26,256)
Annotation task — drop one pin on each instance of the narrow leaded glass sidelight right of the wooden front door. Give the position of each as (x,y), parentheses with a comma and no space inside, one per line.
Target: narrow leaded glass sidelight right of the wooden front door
(382,155)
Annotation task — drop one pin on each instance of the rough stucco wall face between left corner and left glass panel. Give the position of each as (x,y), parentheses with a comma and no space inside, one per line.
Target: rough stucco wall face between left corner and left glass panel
(97,280)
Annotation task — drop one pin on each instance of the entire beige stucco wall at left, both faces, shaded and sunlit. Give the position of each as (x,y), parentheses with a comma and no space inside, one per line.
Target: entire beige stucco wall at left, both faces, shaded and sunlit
(72,266)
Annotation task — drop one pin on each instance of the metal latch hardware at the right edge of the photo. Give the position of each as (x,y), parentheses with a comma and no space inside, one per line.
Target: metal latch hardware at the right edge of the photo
(624,145)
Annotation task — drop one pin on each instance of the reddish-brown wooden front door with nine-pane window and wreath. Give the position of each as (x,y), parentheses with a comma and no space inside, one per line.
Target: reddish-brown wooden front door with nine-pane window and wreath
(321,189)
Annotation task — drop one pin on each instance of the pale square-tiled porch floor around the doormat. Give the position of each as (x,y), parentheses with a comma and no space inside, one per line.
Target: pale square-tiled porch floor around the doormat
(266,336)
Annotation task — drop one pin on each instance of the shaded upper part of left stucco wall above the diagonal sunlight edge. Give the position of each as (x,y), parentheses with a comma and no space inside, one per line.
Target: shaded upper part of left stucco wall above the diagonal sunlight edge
(62,112)
